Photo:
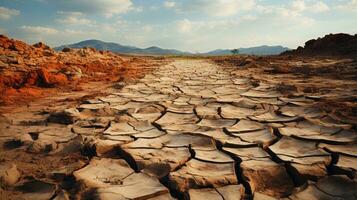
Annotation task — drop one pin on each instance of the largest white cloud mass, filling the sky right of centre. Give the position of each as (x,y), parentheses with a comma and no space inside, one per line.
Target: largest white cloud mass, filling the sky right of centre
(257,27)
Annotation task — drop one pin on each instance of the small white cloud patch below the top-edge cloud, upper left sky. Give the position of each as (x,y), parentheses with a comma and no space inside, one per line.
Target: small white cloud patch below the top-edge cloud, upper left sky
(74,18)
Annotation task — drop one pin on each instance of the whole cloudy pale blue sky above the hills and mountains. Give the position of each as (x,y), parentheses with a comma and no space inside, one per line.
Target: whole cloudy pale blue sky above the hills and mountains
(188,25)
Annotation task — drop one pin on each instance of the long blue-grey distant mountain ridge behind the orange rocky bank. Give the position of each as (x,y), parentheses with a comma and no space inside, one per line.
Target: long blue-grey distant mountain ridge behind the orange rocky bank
(118,48)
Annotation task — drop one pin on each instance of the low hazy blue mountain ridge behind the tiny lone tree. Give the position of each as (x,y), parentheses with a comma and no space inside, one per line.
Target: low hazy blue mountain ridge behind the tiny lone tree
(260,50)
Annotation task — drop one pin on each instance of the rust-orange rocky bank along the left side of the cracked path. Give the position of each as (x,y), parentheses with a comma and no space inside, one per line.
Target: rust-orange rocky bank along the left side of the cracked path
(25,69)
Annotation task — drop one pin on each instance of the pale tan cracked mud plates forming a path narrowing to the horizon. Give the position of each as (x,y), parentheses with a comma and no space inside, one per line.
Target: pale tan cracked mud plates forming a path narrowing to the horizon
(190,130)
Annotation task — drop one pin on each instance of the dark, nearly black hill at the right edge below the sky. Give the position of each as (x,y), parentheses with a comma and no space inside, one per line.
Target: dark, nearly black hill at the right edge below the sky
(340,44)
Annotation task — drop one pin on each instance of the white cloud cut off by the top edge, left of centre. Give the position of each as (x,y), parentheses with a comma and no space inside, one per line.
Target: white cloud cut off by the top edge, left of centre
(107,8)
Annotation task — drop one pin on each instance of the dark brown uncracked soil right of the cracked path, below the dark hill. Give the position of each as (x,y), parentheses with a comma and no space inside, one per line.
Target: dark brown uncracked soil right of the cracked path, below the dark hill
(331,81)
